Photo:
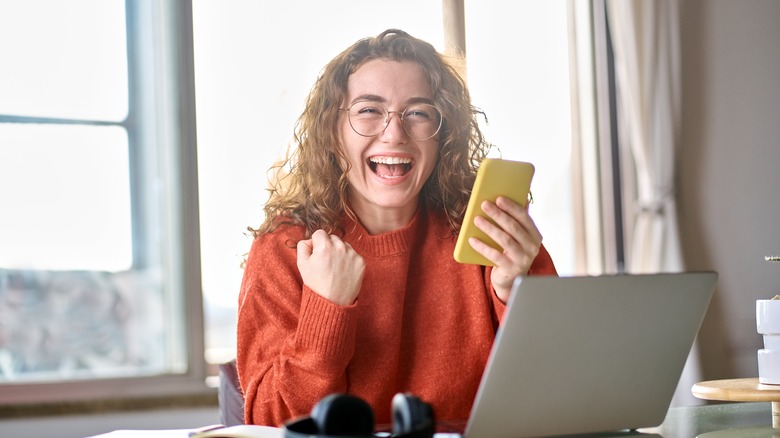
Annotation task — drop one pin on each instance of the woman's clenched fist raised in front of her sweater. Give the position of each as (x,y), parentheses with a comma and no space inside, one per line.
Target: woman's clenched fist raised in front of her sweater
(330,267)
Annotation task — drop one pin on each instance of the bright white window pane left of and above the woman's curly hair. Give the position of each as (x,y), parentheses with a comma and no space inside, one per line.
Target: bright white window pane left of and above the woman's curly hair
(253,71)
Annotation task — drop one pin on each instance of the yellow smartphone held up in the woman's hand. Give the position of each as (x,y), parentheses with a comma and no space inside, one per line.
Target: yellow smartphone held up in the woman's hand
(495,177)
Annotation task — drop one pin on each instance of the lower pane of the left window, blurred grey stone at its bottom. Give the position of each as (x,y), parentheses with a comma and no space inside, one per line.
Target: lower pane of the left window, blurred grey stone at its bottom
(72,303)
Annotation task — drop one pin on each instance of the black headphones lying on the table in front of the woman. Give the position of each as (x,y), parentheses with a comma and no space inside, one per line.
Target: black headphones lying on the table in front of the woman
(344,415)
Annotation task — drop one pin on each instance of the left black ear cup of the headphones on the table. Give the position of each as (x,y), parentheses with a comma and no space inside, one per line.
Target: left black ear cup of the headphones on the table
(343,414)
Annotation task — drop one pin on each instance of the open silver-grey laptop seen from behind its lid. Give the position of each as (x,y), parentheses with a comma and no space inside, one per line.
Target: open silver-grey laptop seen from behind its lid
(578,355)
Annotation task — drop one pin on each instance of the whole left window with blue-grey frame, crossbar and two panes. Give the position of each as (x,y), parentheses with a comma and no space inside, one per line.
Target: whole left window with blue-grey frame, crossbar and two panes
(97,173)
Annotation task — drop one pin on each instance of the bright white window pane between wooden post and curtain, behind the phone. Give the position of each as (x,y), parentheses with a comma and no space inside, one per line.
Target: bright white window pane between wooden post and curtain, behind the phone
(518,73)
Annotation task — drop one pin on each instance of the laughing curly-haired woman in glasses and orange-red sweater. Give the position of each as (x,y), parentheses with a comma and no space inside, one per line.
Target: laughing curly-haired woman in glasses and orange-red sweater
(350,285)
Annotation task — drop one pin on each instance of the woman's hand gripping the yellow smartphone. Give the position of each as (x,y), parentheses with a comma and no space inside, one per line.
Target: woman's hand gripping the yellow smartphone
(516,233)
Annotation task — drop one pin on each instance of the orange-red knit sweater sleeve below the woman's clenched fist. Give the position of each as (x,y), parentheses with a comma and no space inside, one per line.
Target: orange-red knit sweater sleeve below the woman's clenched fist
(293,346)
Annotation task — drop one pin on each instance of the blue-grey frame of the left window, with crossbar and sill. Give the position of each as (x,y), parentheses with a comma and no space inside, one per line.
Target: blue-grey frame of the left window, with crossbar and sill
(161,112)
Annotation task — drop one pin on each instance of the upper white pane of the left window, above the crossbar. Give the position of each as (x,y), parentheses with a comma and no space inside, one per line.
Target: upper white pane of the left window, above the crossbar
(65,59)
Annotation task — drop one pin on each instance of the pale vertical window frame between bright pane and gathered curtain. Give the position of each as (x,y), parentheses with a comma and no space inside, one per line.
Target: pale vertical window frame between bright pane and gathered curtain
(601,202)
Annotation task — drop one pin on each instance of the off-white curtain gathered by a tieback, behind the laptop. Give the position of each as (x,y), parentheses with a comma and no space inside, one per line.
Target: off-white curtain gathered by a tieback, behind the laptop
(645,38)
